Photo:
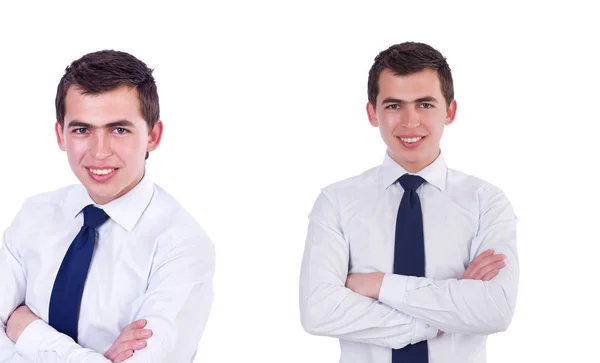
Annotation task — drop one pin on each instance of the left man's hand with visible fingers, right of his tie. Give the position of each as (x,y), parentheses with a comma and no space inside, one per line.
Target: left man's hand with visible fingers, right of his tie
(132,338)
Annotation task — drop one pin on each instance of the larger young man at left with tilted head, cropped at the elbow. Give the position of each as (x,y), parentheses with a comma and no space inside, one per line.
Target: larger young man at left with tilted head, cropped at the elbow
(97,271)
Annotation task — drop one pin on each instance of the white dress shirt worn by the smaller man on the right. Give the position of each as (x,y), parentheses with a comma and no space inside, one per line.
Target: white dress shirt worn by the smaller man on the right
(352,230)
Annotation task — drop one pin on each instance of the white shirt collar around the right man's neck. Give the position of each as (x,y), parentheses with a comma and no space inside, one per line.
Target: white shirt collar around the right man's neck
(434,173)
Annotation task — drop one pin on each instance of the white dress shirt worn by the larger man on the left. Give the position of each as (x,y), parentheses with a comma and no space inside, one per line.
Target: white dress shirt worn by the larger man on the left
(152,260)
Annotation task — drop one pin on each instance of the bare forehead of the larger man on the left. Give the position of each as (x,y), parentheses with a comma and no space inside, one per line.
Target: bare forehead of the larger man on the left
(121,103)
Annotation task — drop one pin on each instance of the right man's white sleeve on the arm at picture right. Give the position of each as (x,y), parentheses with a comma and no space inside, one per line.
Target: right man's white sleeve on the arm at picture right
(466,306)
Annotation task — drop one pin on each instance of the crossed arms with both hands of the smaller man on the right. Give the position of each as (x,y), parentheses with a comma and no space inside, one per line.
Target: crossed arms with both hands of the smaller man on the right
(394,310)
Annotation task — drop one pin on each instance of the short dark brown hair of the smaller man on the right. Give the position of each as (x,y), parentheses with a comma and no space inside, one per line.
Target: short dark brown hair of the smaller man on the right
(407,58)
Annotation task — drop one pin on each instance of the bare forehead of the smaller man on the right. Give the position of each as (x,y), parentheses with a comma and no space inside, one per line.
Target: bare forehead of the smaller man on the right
(412,86)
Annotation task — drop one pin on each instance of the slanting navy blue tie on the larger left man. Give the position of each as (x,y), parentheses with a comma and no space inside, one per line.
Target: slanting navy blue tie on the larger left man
(65,300)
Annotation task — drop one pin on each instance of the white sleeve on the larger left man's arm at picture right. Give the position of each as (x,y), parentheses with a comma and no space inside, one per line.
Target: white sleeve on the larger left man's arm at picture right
(176,306)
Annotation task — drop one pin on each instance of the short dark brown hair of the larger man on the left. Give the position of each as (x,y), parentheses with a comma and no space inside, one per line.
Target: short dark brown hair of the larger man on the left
(104,71)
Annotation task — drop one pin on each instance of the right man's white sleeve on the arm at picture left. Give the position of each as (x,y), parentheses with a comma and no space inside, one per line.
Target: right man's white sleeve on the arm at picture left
(328,308)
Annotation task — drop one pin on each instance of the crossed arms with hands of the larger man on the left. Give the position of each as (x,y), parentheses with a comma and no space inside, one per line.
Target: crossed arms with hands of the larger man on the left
(180,276)
